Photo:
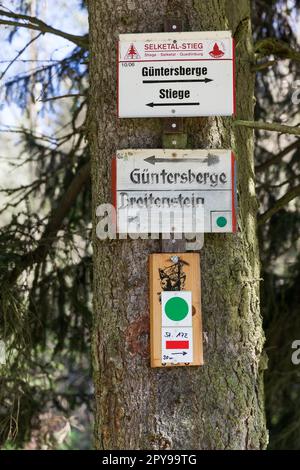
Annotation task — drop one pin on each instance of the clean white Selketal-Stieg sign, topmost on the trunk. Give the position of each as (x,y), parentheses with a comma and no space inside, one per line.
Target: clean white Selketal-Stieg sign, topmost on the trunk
(176,74)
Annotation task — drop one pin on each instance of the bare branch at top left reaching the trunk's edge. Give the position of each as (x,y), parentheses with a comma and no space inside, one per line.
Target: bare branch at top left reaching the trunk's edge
(39,25)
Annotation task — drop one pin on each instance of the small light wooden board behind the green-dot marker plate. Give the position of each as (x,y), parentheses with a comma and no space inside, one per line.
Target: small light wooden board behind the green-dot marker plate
(167,275)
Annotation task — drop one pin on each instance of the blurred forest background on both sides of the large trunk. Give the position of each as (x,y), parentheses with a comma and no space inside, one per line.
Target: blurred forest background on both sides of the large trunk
(46,396)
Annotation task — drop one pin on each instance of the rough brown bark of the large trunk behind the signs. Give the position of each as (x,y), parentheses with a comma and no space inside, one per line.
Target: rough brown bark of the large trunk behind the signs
(220,405)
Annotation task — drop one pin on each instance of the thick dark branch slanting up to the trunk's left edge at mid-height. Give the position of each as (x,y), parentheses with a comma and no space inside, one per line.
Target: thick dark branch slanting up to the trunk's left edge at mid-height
(55,221)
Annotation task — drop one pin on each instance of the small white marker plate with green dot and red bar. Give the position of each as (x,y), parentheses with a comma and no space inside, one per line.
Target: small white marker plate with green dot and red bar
(177,327)
